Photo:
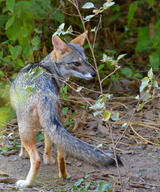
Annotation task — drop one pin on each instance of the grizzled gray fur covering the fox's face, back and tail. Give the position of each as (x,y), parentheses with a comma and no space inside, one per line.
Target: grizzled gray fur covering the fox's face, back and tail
(40,106)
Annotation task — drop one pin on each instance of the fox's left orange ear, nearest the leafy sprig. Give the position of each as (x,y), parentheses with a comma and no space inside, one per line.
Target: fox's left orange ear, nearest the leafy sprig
(60,46)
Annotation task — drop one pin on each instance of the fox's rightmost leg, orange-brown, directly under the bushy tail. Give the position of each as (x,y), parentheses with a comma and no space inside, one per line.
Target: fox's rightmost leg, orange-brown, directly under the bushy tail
(61,163)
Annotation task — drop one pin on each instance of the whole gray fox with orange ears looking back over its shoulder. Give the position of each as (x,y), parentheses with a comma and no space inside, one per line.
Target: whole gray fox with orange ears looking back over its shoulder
(41,108)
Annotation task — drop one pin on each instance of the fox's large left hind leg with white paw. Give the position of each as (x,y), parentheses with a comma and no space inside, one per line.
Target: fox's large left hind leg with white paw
(28,139)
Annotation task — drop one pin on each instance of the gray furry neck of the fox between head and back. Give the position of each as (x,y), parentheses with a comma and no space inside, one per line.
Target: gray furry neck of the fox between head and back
(51,67)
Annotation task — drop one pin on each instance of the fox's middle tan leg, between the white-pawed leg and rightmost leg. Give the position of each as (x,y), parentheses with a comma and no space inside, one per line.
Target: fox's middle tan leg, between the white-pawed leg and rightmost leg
(47,156)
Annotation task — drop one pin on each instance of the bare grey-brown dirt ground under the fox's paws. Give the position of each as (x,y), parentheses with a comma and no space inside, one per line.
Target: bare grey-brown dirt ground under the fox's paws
(141,172)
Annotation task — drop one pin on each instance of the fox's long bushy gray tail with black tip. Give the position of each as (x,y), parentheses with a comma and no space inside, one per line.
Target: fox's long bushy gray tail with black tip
(71,145)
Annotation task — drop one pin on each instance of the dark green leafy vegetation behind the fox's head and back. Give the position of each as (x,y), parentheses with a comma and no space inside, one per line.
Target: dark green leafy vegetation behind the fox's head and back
(128,27)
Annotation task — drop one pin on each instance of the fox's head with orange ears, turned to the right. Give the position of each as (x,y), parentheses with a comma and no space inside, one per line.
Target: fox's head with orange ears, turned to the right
(70,58)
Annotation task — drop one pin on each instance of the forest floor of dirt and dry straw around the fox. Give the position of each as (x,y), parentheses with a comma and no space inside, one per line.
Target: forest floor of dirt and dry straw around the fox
(138,147)
